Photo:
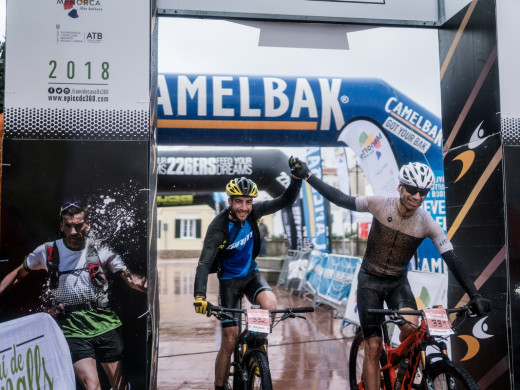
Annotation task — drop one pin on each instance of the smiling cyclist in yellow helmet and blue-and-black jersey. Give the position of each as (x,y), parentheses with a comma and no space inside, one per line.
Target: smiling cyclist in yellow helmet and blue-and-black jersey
(231,245)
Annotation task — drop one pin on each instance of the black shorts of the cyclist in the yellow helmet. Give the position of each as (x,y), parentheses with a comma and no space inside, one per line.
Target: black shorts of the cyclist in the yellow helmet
(231,292)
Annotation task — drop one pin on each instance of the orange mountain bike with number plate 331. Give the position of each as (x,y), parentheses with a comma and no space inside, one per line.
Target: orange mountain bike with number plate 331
(421,361)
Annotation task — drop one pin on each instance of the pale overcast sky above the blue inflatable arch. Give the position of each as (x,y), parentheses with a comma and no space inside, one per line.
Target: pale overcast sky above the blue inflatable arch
(406,58)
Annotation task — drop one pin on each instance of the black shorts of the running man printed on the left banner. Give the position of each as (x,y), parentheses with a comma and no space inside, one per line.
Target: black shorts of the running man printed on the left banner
(105,348)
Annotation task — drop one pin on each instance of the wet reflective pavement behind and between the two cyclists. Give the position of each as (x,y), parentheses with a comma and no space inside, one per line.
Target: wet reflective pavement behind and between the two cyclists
(311,354)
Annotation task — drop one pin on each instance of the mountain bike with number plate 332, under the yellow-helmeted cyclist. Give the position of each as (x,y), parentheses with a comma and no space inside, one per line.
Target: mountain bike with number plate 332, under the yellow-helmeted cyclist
(250,361)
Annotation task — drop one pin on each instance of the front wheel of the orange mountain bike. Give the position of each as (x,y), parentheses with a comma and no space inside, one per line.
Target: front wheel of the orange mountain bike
(447,375)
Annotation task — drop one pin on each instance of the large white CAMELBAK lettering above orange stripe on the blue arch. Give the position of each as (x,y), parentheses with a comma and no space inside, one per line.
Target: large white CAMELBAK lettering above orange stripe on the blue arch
(209,100)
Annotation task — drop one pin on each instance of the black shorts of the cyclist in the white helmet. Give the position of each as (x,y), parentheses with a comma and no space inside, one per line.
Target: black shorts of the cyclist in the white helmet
(373,291)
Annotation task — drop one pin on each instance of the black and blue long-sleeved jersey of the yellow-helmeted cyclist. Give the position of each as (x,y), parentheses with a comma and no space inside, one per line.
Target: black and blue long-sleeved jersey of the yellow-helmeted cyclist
(218,244)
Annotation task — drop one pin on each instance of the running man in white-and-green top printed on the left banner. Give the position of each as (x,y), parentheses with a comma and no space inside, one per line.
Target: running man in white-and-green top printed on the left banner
(78,271)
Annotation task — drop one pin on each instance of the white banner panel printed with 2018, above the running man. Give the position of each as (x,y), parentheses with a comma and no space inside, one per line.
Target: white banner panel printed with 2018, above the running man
(75,68)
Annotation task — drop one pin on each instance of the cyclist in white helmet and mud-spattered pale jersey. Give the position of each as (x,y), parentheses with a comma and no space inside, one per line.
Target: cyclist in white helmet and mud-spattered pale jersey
(399,226)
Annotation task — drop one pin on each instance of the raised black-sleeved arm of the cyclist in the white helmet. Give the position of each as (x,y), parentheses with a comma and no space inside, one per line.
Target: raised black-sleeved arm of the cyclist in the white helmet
(299,169)
